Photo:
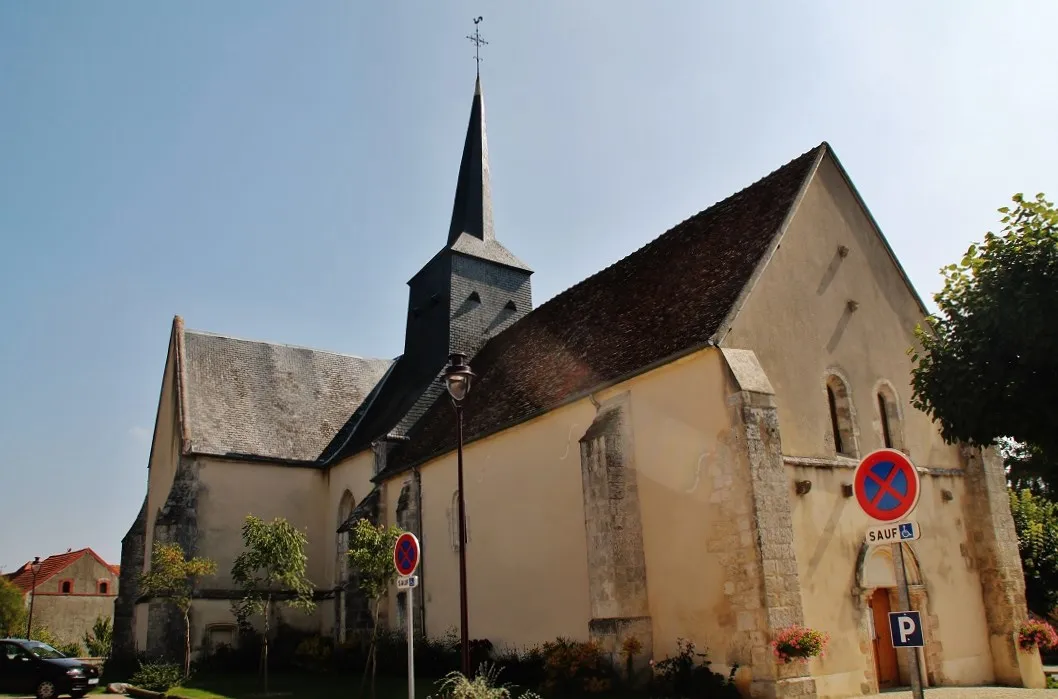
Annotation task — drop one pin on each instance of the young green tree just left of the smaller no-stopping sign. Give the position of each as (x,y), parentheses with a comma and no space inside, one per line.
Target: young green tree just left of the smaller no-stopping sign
(372,560)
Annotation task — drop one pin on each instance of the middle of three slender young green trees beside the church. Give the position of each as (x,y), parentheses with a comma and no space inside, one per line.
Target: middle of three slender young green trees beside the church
(271,572)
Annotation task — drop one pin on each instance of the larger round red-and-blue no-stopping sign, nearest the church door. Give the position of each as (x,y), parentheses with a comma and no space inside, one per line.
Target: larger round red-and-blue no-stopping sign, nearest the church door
(887,486)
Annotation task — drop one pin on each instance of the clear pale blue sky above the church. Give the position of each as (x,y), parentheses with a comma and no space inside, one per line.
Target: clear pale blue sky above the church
(279,170)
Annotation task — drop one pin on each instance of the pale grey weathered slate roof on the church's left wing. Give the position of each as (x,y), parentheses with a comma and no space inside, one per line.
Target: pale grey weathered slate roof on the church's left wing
(279,402)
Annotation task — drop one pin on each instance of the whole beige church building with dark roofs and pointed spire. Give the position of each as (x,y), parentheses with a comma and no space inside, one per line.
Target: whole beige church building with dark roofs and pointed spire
(665,450)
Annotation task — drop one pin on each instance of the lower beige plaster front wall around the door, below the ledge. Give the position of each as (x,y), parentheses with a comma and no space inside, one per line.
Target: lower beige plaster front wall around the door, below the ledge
(830,532)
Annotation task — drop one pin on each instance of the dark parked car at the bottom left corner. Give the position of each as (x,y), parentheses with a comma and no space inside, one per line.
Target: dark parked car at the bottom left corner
(35,668)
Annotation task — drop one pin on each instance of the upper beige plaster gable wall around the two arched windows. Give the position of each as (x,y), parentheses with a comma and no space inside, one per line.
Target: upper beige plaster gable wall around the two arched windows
(798,322)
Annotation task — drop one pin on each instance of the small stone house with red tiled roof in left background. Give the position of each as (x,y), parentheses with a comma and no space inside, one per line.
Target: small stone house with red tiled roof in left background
(70,593)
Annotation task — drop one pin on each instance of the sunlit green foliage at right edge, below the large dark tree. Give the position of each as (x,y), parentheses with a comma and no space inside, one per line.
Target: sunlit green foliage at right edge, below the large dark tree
(1036,521)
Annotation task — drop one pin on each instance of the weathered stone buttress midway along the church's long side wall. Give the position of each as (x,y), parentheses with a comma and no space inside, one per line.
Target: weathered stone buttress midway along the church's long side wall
(617,565)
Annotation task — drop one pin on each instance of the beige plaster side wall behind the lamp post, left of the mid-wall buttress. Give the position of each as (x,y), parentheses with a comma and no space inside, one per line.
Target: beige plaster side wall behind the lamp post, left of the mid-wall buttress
(525,522)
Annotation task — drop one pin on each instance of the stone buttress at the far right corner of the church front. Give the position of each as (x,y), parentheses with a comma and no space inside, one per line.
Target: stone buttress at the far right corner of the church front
(994,544)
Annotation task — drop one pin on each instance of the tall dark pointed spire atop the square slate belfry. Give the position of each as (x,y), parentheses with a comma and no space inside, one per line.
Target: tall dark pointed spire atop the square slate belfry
(472,212)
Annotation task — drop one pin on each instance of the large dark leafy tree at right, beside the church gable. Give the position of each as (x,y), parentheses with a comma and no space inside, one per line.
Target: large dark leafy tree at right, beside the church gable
(986,370)
